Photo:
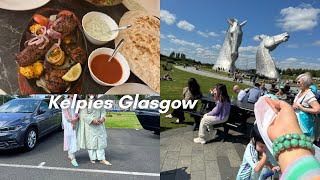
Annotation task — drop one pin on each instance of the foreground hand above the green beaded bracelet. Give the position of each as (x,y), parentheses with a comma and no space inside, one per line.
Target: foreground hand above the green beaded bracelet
(285,122)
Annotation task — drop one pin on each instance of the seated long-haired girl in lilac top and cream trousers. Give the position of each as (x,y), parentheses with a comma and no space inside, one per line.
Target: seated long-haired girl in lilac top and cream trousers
(218,115)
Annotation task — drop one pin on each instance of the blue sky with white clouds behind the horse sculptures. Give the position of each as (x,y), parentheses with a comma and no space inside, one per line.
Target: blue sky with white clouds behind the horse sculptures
(198,29)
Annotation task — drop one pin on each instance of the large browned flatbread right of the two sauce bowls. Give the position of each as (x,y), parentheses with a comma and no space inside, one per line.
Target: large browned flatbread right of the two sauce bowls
(142,46)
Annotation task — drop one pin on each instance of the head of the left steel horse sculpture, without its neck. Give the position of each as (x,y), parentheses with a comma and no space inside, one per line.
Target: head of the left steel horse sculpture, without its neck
(235,36)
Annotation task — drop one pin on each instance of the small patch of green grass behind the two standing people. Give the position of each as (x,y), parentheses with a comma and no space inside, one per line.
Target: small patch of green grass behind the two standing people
(123,120)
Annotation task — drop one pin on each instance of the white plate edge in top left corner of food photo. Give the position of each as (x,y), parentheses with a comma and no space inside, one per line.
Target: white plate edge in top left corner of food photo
(19,5)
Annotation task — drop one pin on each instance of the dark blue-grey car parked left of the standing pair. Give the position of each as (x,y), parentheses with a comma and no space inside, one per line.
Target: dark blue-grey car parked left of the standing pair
(24,121)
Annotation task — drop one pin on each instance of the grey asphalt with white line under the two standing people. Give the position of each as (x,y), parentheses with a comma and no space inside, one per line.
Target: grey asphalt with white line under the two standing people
(134,154)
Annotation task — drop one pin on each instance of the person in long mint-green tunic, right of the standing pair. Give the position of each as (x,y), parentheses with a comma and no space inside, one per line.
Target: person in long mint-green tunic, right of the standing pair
(92,133)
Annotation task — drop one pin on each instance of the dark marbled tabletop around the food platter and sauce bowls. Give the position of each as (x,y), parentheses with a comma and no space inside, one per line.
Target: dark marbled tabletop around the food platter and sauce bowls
(13,23)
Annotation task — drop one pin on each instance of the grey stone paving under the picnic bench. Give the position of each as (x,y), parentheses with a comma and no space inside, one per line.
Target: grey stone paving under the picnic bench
(181,158)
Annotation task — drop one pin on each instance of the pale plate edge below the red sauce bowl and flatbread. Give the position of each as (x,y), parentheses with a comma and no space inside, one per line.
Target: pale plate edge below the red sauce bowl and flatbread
(131,88)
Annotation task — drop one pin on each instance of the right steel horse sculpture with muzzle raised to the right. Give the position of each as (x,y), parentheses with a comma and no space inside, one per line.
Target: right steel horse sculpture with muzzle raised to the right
(265,65)
